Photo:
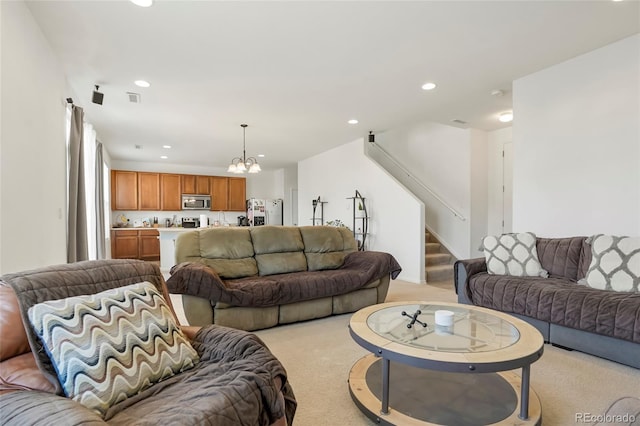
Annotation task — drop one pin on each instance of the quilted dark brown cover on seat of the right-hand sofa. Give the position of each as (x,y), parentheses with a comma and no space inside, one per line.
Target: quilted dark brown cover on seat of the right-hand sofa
(558,301)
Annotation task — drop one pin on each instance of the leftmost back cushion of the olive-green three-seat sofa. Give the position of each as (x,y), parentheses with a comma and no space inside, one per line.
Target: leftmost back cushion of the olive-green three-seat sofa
(228,251)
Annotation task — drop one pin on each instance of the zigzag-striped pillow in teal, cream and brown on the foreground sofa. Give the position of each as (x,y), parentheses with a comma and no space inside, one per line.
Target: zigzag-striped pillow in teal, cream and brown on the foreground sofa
(109,346)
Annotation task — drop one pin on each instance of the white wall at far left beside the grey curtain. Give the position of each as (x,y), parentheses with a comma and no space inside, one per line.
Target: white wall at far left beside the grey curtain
(32,151)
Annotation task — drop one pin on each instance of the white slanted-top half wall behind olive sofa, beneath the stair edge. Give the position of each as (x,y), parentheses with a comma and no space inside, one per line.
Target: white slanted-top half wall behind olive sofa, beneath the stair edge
(397,217)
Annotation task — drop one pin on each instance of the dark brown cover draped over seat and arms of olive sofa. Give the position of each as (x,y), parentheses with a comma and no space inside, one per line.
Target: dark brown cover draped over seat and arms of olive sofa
(359,269)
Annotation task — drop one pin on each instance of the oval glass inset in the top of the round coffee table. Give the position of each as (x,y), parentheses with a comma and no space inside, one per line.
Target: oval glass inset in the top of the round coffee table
(470,331)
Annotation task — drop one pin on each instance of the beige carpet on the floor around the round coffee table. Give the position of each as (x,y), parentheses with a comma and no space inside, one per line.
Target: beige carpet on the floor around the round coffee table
(319,354)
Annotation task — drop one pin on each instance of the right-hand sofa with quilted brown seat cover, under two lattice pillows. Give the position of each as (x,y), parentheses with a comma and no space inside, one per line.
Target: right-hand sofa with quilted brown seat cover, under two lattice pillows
(600,322)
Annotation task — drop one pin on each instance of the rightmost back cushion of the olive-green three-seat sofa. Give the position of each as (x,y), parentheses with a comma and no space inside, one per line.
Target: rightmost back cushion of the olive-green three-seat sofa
(325,247)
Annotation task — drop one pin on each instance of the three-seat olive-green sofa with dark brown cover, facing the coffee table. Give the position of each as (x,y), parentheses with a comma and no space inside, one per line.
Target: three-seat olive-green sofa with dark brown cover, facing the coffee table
(259,277)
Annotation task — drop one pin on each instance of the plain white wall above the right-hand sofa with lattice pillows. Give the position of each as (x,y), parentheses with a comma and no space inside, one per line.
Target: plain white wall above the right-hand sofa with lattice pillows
(576,137)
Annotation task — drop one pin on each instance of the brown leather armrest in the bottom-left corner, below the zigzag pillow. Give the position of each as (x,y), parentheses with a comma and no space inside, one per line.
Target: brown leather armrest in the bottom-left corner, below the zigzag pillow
(35,408)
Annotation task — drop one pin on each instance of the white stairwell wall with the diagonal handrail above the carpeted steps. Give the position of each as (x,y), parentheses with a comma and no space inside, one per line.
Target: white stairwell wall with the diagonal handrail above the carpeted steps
(450,162)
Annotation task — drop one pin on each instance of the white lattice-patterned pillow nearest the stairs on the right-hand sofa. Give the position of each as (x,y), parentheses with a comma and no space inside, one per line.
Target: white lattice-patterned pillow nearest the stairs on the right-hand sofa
(513,254)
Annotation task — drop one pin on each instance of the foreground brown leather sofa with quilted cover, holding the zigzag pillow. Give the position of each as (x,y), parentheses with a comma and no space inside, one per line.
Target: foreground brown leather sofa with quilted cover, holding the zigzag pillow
(236,381)
